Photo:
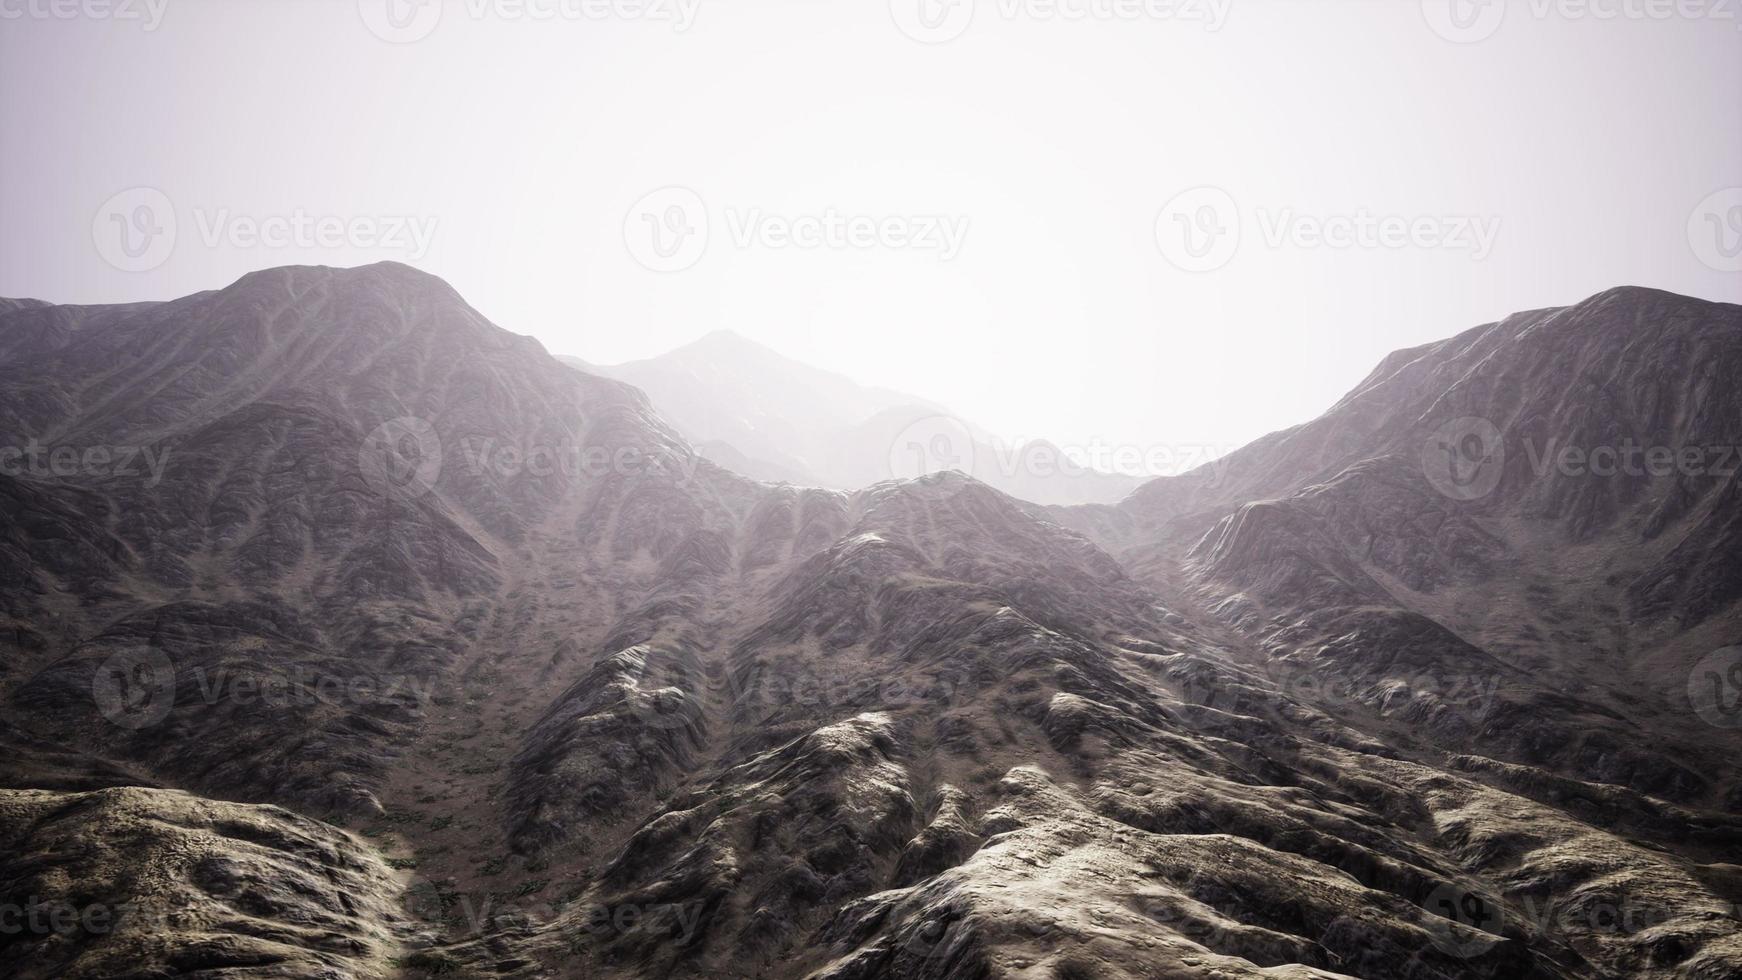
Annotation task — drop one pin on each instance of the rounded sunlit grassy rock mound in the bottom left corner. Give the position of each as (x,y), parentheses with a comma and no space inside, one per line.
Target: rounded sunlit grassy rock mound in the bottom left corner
(159,883)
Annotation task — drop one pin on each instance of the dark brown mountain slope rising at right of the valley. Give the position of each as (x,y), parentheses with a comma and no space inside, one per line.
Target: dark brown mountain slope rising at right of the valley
(1353,534)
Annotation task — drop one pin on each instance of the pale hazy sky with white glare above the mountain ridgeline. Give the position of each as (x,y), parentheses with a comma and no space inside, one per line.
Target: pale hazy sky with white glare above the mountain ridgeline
(1123,222)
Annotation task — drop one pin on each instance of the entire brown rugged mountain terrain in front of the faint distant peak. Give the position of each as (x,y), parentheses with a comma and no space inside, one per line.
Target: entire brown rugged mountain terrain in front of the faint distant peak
(415,652)
